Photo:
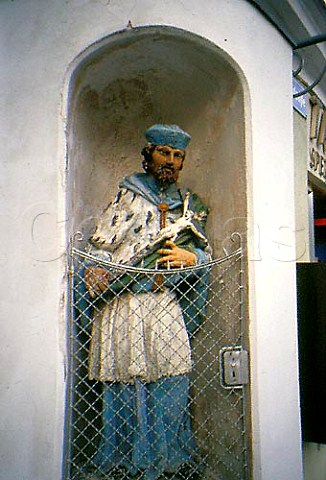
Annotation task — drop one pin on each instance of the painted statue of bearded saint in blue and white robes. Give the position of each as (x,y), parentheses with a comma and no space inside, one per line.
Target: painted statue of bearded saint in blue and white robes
(140,341)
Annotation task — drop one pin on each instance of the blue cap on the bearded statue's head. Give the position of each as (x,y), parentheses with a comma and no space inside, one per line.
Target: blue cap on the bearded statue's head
(170,135)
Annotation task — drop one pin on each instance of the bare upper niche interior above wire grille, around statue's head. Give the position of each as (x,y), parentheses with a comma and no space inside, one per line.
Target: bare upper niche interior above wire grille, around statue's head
(148,75)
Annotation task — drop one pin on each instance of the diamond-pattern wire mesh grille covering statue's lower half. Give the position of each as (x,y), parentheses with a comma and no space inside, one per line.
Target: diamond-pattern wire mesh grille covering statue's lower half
(171,417)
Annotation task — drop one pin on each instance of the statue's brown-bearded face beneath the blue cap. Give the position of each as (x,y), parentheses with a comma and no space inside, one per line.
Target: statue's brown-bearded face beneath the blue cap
(166,164)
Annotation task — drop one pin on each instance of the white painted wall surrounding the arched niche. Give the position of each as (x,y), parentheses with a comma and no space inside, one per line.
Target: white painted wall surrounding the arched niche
(40,40)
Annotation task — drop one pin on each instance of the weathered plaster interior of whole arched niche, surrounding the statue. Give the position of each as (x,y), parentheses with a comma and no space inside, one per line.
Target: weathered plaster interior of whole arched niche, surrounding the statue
(120,87)
